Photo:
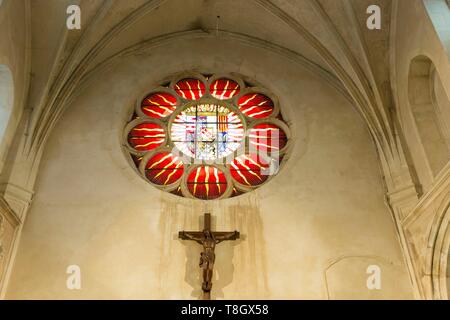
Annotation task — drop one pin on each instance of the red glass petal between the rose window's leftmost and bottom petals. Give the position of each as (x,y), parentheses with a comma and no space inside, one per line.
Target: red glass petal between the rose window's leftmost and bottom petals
(164,169)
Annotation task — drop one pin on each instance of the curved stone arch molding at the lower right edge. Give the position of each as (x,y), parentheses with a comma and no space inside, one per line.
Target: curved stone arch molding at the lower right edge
(439,246)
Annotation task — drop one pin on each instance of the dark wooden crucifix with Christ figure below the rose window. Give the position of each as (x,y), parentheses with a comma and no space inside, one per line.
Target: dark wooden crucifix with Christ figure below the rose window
(208,239)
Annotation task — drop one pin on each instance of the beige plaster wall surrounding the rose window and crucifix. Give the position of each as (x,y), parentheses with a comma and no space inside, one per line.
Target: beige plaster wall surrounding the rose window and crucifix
(326,206)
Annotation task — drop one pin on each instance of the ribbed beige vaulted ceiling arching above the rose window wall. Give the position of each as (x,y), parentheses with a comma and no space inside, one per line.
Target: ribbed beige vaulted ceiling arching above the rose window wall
(328,36)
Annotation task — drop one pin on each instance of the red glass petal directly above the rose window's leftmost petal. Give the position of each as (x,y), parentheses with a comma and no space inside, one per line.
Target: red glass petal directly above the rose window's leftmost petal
(159,105)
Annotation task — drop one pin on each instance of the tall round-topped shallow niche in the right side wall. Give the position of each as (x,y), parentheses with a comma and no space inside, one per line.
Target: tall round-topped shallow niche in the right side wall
(430,107)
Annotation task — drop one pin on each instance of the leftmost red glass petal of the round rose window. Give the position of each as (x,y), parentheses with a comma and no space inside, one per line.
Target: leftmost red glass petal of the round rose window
(146,137)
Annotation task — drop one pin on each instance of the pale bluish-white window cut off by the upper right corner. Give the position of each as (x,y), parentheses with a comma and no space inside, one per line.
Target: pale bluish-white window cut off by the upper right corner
(439,12)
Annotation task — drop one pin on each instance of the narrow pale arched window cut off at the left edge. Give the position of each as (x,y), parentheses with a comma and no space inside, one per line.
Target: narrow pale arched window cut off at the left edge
(6,97)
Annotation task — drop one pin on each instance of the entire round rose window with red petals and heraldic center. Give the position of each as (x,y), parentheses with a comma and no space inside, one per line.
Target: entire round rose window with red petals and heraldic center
(207,137)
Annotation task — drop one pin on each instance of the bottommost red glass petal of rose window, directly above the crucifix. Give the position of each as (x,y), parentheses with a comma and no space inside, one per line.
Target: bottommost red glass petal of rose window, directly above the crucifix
(207,183)
